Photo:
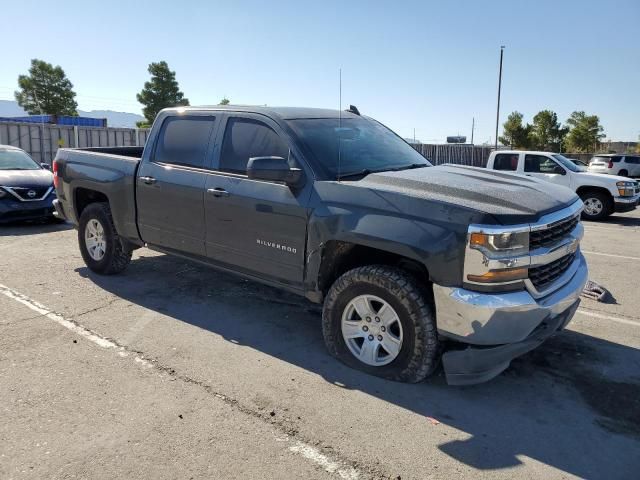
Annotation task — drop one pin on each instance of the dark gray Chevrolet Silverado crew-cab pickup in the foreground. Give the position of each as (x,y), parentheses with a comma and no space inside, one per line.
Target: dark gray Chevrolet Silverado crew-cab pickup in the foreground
(414,264)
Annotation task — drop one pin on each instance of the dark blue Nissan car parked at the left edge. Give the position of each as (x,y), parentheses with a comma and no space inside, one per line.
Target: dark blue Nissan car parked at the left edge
(26,188)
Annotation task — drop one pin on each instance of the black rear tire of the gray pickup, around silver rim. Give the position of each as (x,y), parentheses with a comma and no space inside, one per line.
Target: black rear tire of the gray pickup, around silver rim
(115,258)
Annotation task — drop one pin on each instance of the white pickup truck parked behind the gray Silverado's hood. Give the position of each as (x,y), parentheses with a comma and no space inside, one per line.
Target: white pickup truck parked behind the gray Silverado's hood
(602,194)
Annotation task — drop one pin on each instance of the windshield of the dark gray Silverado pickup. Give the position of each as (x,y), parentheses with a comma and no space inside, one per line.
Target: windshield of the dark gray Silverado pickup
(358,145)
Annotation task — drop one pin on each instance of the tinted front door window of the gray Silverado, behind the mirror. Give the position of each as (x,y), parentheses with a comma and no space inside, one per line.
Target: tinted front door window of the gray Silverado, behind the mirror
(245,138)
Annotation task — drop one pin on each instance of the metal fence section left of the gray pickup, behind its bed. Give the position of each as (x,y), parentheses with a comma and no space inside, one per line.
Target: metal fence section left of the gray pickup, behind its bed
(42,141)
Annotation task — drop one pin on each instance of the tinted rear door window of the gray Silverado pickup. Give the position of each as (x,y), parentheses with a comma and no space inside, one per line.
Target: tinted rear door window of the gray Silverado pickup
(184,141)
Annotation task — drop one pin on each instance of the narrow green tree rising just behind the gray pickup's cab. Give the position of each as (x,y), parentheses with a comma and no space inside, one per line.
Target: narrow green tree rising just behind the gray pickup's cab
(160,92)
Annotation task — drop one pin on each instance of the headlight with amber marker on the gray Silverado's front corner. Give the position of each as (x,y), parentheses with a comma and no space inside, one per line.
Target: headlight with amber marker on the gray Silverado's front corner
(496,259)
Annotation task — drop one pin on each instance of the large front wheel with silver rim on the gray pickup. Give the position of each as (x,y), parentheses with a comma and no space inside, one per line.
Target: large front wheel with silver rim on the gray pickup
(377,319)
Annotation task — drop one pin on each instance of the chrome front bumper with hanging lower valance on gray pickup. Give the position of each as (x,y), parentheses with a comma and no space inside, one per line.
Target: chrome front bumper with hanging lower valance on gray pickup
(497,328)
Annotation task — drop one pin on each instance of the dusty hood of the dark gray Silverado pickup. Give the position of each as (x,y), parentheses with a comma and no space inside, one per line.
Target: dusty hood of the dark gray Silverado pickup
(509,198)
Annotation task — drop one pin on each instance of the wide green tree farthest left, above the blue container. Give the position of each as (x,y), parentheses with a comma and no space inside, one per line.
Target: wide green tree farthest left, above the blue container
(46,90)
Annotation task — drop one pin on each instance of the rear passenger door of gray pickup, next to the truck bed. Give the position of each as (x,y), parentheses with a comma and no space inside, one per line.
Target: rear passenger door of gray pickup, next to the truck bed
(170,184)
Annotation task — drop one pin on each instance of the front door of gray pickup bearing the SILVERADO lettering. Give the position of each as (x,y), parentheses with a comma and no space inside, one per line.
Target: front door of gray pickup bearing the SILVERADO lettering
(258,227)
